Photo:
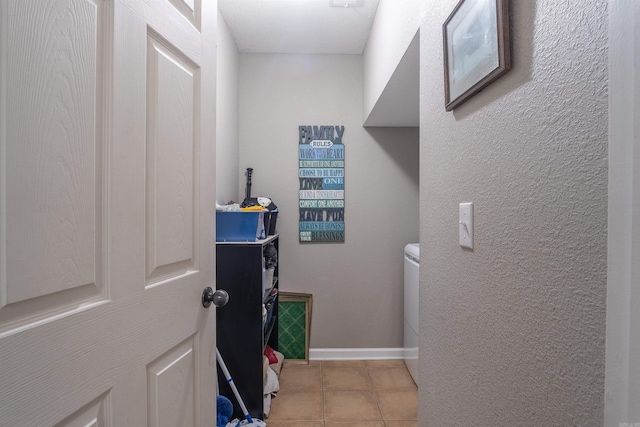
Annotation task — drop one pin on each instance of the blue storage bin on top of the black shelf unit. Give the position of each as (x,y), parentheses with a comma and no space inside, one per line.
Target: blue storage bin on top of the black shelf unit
(239,226)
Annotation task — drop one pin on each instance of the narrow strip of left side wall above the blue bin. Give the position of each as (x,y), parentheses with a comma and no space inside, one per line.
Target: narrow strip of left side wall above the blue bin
(227,120)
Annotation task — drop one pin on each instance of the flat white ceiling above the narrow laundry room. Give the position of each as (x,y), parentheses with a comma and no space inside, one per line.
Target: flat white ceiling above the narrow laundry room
(299,26)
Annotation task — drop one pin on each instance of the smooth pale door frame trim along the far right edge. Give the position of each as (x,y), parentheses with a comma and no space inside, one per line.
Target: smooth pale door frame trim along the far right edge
(623,293)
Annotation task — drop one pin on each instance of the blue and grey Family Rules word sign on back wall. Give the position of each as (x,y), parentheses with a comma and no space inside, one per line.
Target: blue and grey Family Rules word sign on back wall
(321,175)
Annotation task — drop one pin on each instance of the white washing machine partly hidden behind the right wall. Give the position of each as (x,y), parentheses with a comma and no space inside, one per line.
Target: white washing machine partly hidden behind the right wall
(411,304)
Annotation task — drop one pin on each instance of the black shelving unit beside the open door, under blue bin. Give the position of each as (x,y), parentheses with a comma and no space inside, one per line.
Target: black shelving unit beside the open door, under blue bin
(241,333)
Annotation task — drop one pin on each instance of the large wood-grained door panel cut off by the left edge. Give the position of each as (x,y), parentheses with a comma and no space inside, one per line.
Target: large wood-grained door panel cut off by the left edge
(53,258)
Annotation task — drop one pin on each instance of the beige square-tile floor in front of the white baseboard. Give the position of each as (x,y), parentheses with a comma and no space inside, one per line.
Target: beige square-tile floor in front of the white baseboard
(354,393)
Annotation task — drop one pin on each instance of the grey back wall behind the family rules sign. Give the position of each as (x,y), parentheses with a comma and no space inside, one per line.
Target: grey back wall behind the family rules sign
(356,285)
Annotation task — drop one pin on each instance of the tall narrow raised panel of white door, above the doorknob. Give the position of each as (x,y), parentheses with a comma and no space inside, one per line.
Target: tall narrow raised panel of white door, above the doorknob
(172,118)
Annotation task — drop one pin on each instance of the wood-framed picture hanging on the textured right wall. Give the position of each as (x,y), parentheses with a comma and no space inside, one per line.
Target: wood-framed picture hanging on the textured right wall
(476,48)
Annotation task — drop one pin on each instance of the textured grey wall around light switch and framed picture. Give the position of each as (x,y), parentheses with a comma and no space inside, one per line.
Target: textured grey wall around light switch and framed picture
(513,332)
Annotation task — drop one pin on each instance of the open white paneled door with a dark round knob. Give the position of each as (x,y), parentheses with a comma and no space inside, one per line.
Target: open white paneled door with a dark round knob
(107,233)
